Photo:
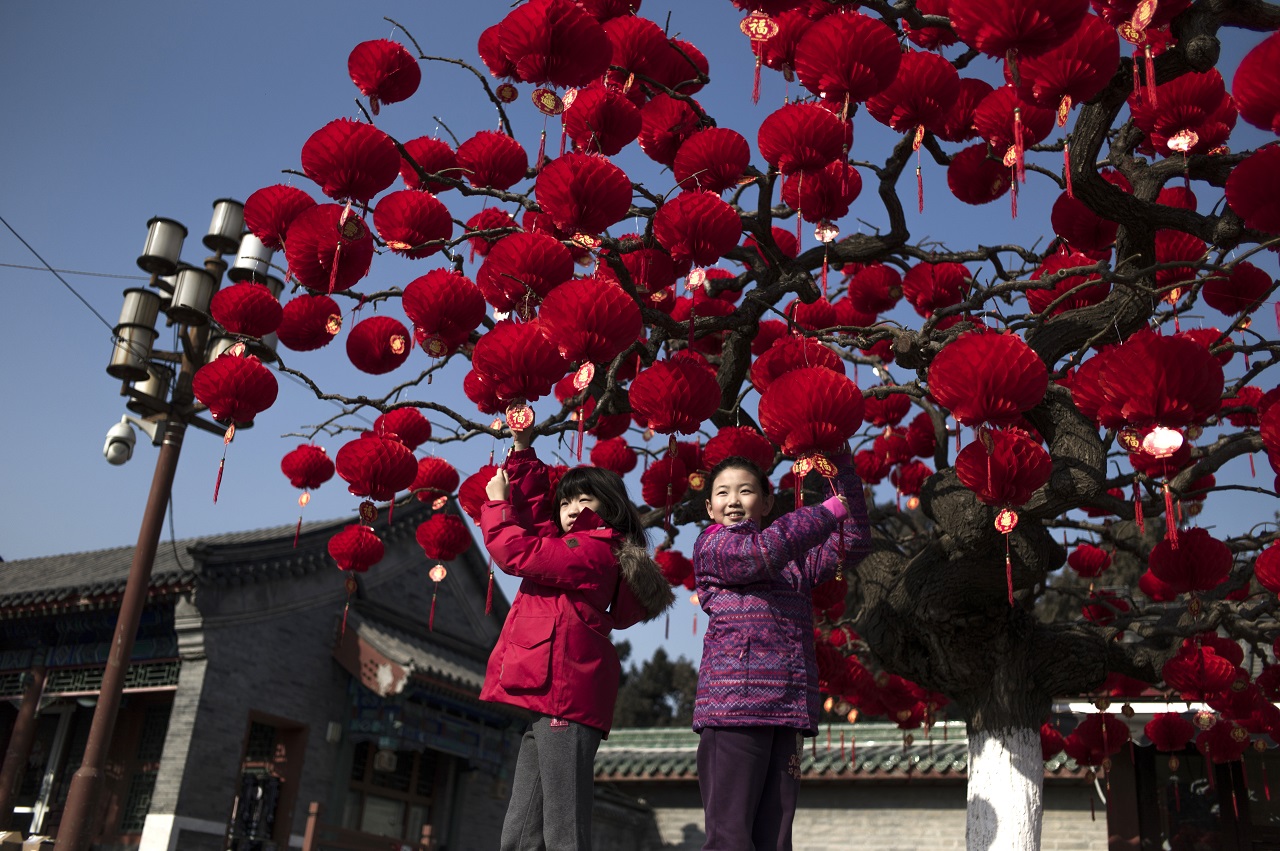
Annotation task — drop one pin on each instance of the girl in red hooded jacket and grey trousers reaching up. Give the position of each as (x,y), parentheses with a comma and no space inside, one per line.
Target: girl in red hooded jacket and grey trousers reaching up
(584,568)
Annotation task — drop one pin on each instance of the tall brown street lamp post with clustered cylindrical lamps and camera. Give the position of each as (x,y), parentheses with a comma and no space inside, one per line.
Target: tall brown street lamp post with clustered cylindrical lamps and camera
(159,388)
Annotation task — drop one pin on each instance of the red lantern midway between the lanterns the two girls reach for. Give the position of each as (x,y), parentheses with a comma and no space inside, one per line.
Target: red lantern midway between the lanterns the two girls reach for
(676,395)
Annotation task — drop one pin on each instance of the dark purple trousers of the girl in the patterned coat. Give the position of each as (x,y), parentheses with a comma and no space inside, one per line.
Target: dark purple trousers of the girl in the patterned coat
(749,779)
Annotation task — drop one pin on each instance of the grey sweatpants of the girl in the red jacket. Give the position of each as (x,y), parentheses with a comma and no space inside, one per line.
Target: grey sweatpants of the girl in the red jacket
(554,790)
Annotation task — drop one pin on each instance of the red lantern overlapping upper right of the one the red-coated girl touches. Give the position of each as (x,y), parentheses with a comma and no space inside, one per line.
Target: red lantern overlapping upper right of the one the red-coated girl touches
(591,319)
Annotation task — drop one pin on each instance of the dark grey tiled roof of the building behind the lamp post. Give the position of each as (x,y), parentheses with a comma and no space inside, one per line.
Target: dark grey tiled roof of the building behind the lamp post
(56,582)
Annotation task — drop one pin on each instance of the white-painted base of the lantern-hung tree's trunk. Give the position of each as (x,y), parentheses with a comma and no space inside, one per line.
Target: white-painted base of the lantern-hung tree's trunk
(1007,783)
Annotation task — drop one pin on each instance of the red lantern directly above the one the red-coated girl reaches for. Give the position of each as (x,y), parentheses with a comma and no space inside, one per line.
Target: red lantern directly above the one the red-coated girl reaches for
(523,269)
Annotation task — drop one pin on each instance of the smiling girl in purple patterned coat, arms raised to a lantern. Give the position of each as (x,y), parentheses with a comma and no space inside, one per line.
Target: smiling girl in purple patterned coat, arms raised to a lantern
(758,680)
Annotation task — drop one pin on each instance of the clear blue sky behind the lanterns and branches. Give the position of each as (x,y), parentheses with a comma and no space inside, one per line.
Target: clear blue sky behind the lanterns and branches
(122,112)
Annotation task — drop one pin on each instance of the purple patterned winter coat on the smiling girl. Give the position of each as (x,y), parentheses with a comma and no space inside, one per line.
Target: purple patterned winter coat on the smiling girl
(758,666)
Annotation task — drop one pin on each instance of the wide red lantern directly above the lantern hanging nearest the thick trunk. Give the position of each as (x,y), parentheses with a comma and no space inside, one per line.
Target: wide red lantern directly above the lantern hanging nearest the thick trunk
(989,378)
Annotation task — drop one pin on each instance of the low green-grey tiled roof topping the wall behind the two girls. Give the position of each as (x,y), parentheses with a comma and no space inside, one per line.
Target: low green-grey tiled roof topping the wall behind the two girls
(870,752)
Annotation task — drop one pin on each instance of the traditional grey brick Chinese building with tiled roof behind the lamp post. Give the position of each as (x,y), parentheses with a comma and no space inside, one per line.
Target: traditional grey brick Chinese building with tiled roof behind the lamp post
(260,692)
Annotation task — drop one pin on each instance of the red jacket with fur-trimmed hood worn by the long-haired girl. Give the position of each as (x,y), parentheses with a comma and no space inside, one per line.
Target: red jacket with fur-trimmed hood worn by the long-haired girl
(555,656)
